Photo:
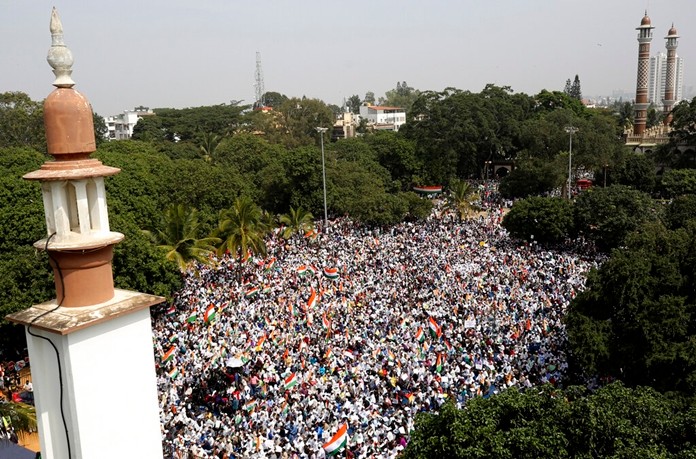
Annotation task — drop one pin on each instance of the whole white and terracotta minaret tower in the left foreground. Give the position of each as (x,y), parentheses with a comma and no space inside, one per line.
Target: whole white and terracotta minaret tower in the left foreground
(91,350)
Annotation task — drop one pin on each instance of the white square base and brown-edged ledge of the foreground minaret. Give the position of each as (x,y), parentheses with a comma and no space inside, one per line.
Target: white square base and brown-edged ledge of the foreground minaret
(109,382)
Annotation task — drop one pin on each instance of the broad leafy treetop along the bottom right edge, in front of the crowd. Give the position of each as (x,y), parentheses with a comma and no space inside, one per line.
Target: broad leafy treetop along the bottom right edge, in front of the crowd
(546,422)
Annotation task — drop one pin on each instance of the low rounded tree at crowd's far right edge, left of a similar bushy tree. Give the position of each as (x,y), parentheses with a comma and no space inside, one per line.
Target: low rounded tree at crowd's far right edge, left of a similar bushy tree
(545,220)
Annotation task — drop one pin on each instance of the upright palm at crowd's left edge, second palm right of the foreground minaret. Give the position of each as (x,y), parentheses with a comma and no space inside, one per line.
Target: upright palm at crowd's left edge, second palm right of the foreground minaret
(241,230)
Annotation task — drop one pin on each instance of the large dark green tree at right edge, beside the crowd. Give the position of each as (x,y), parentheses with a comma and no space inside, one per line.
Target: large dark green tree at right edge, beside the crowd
(635,319)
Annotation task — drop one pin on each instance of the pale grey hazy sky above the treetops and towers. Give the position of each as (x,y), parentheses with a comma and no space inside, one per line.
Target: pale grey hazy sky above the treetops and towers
(178,53)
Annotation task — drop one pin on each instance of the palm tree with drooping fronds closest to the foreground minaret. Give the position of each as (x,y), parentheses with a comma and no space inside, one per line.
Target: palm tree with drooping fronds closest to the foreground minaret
(178,237)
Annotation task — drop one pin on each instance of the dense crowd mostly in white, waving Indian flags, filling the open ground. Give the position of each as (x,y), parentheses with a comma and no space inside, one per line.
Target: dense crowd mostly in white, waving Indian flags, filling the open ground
(270,357)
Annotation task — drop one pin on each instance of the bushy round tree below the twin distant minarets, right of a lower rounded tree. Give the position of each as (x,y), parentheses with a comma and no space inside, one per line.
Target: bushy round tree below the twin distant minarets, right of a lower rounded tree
(607,215)
